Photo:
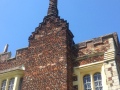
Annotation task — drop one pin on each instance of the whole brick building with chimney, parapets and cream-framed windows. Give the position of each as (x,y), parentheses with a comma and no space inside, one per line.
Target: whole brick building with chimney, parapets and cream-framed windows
(52,61)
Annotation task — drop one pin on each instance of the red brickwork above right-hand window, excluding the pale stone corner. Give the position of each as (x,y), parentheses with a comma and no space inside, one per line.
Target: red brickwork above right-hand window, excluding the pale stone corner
(90,51)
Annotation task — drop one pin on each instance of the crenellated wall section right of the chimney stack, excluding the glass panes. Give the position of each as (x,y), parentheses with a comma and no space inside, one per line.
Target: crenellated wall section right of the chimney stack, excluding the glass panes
(98,55)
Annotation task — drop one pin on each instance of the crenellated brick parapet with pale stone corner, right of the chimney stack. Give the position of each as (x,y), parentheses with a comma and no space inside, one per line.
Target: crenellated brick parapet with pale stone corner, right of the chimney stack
(97,49)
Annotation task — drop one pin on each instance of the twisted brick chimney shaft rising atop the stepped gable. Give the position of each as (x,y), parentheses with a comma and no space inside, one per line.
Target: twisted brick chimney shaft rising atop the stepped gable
(52,10)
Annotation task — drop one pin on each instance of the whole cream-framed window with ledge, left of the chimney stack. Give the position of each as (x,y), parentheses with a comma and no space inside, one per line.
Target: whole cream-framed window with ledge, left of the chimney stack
(11,79)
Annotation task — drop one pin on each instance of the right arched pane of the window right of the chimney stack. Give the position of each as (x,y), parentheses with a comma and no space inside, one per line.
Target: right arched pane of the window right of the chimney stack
(98,81)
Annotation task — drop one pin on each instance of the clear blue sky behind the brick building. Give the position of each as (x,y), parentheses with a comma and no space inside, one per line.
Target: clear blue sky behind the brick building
(87,19)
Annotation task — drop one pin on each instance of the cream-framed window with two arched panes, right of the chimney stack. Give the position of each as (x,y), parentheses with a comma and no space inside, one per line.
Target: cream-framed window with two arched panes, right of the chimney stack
(90,77)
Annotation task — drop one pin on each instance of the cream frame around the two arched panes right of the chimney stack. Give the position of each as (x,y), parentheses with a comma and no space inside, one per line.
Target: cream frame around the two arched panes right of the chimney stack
(90,69)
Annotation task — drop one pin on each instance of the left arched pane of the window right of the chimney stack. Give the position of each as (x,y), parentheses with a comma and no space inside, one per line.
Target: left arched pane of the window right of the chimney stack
(87,82)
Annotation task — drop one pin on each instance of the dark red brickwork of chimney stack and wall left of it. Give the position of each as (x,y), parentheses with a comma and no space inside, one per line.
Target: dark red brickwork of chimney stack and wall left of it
(48,59)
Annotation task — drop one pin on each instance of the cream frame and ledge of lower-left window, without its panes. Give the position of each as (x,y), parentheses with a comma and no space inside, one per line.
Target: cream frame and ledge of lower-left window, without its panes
(16,73)
